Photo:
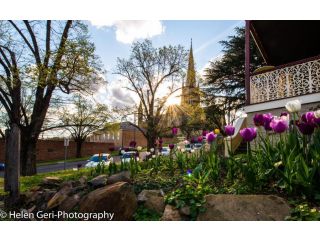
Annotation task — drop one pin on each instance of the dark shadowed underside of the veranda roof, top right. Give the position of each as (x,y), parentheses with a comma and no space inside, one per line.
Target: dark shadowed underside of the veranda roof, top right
(285,41)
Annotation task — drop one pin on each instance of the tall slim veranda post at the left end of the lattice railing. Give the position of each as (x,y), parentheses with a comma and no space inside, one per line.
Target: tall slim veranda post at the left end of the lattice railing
(247,61)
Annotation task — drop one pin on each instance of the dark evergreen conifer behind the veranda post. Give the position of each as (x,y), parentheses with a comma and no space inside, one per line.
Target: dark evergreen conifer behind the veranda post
(225,77)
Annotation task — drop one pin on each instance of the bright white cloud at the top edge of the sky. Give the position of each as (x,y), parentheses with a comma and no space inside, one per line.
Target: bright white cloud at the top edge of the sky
(128,31)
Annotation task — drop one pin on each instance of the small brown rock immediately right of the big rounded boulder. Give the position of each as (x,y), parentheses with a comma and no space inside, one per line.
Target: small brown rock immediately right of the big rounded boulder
(152,199)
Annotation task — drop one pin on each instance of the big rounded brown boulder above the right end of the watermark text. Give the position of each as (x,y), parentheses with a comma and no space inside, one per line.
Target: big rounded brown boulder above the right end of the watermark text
(118,198)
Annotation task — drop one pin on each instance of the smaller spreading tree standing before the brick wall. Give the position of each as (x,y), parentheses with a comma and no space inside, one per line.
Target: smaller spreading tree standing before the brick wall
(84,120)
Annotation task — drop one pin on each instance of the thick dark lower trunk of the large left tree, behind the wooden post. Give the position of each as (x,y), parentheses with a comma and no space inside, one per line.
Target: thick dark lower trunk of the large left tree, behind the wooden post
(28,153)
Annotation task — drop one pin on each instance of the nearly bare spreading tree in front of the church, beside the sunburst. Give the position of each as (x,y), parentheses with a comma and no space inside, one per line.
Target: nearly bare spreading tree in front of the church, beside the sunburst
(147,70)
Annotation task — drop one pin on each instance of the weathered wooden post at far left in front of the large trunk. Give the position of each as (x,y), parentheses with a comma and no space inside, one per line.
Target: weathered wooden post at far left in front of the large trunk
(12,165)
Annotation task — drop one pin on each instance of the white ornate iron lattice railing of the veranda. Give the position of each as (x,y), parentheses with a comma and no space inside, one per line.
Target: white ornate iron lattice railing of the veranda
(286,82)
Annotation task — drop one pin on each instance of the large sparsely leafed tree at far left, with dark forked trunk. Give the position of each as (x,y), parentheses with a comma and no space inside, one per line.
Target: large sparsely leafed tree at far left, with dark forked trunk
(38,59)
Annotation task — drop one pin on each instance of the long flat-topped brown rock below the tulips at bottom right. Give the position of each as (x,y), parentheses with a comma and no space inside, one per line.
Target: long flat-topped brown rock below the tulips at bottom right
(226,207)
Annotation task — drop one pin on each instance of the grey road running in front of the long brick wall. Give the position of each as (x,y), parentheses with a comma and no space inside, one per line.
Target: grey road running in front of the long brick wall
(60,166)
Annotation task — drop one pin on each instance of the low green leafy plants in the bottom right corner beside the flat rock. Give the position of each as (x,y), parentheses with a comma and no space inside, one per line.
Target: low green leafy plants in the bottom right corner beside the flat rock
(302,212)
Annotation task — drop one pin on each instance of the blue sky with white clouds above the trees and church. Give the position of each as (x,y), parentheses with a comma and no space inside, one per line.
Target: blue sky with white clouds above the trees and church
(113,40)
